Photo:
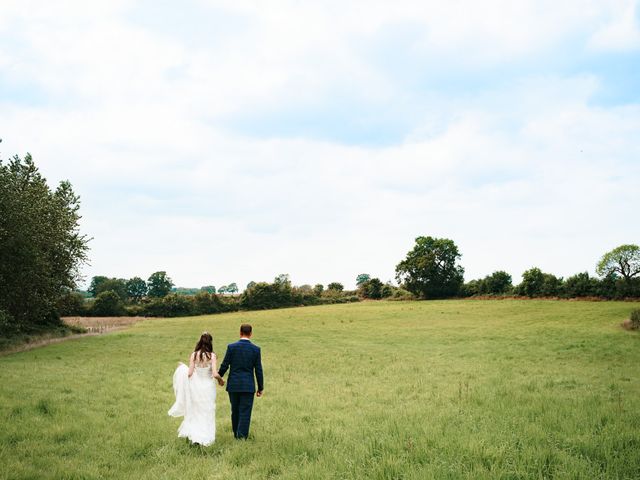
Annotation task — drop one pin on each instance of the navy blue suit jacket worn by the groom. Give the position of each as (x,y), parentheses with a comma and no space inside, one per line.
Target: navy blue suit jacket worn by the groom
(244,359)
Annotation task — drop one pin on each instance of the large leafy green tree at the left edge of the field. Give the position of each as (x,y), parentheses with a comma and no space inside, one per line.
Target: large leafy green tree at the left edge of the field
(41,247)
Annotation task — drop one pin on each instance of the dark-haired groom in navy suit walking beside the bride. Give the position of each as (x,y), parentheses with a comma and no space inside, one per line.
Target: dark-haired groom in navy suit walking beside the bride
(244,358)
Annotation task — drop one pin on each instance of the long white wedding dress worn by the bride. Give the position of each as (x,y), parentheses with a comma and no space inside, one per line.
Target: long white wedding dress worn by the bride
(196,402)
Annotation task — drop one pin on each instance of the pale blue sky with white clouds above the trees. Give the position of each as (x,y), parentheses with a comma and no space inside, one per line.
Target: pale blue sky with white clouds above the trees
(232,141)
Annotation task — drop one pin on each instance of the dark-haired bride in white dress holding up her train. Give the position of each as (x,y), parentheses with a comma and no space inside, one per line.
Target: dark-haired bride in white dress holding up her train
(196,393)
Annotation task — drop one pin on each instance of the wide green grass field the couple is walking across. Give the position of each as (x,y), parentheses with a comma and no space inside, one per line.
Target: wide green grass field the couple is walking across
(386,390)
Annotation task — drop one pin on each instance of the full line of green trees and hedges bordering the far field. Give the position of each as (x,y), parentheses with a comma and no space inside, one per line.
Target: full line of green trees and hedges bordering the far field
(42,250)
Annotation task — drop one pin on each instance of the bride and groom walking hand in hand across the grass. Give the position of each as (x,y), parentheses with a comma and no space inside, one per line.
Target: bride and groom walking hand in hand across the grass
(196,391)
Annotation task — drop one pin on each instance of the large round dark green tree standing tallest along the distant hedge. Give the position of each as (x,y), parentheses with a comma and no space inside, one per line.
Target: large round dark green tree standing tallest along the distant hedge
(430,269)
